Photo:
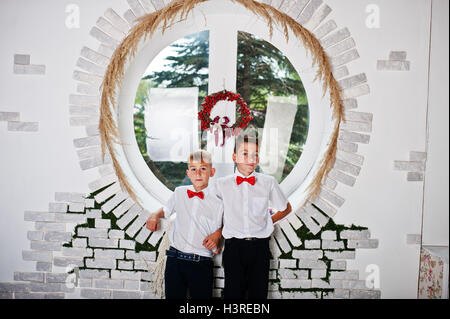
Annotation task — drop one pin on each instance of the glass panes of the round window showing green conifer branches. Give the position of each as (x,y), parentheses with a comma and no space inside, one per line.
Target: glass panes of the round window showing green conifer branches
(175,83)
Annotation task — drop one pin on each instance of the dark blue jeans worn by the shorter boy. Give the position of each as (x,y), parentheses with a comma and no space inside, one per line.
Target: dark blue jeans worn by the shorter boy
(182,276)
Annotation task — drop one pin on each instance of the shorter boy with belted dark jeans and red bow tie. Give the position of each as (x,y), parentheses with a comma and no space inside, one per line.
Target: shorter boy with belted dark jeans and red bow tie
(195,233)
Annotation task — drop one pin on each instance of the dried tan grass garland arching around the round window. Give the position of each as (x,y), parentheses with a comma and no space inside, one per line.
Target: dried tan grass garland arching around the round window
(164,18)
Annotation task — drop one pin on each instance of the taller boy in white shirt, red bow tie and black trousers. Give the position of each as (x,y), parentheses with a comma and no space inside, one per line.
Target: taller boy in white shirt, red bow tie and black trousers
(248,224)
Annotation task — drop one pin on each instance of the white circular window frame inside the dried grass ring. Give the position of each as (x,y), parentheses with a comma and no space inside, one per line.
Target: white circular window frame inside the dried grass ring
(150,190)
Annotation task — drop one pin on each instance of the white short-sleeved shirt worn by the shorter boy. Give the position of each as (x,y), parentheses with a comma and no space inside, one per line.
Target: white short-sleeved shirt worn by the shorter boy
(195,219)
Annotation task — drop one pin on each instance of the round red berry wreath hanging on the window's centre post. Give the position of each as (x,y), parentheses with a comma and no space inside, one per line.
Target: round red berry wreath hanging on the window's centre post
(211,100)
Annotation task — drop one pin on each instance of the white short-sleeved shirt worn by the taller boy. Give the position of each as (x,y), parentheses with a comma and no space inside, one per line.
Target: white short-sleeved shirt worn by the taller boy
(246,206)
